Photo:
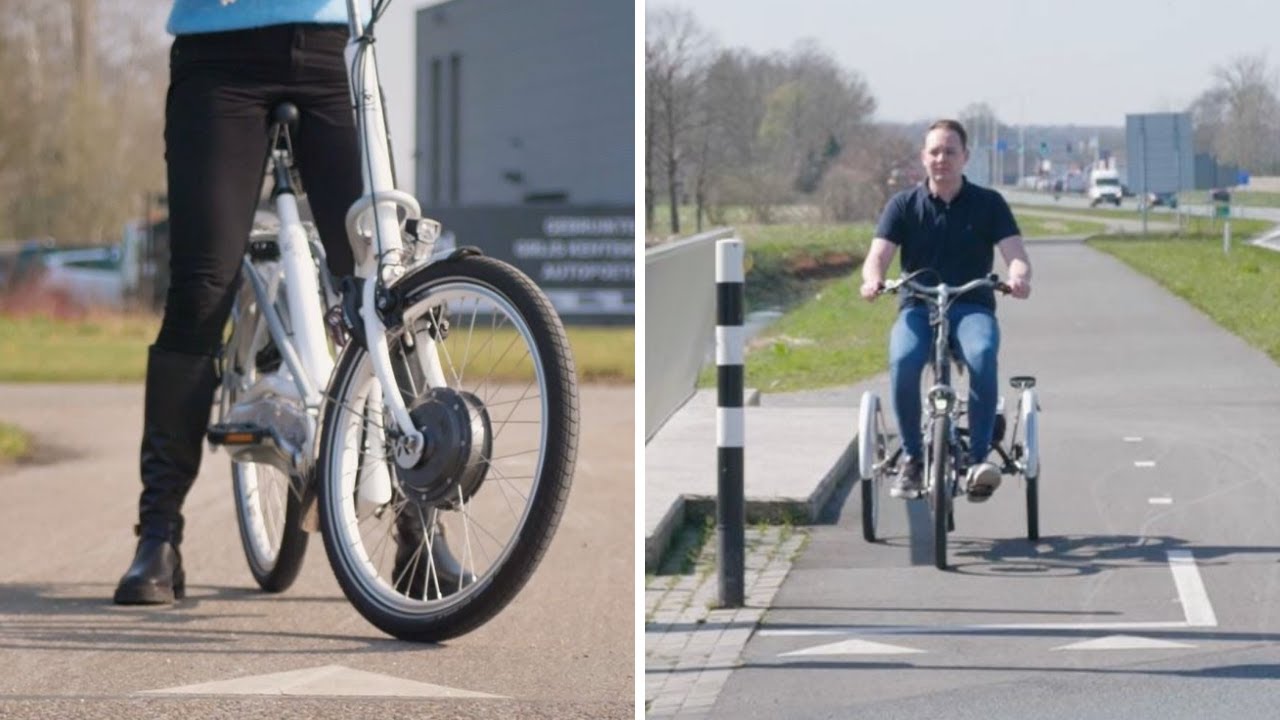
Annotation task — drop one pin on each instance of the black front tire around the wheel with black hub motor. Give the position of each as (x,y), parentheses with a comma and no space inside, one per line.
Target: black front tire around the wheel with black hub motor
(550,496)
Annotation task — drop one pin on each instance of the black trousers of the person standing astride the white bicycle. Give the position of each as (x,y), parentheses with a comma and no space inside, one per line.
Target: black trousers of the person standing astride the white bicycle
(222,90)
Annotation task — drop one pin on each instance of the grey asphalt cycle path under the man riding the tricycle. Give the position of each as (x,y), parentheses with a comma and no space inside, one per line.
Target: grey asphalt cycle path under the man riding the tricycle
(1155,590)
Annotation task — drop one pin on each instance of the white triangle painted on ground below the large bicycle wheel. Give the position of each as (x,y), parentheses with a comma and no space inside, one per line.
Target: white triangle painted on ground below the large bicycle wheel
(326,681)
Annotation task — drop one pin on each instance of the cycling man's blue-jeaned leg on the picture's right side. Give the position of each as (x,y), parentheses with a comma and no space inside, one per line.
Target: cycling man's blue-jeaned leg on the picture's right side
(977,332)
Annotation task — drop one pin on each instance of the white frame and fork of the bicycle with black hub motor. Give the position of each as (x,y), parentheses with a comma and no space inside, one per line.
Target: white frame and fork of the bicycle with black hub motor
(374,227)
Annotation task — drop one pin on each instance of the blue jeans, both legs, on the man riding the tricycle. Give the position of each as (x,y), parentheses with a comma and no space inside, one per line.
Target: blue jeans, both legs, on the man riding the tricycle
(911,345)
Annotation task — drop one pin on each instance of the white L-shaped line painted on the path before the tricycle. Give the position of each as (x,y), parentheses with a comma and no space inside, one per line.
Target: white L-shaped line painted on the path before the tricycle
(1197,610)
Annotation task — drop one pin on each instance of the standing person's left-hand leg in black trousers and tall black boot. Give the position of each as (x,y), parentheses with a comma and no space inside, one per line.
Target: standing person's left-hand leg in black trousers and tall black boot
(214,149)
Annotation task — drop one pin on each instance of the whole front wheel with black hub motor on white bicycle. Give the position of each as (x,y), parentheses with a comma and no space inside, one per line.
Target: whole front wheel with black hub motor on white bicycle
(433,552)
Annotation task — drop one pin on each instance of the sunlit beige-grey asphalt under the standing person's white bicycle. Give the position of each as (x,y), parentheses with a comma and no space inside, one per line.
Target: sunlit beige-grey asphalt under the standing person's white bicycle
(564,649)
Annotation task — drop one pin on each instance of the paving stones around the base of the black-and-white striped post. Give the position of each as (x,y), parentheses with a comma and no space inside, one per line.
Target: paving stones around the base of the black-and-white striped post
(691,646)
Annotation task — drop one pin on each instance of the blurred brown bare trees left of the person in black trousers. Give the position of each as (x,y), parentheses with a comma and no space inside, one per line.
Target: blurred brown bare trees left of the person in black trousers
(81,138)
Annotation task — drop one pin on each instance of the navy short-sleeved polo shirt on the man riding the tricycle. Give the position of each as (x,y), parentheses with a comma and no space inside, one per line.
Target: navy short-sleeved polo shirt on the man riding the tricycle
(957,240)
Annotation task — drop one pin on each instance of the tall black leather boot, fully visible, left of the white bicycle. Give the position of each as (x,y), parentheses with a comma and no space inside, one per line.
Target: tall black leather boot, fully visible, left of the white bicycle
(179,398)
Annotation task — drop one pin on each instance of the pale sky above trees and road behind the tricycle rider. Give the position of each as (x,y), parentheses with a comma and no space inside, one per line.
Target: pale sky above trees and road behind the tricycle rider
(1035,62)
